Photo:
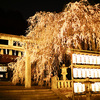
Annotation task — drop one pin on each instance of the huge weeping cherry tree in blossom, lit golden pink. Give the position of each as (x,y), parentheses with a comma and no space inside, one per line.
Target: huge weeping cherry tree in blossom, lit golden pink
(77,27)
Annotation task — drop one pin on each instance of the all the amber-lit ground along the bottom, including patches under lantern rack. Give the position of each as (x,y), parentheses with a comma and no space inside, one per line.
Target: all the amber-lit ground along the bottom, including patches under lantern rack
(11,92)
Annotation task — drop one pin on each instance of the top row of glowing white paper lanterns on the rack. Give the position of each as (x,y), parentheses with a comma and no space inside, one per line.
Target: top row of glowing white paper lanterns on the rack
(85,59)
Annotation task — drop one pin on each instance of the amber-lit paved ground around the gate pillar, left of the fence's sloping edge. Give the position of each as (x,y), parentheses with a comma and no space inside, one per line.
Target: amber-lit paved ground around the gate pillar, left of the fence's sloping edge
(10,92)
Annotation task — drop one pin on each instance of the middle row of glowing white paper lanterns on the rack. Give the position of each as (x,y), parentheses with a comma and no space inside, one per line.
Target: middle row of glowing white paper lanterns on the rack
(84,73)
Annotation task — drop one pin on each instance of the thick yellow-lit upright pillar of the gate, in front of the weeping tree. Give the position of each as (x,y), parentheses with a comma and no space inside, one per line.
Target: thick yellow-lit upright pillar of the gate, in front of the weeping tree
(27,70)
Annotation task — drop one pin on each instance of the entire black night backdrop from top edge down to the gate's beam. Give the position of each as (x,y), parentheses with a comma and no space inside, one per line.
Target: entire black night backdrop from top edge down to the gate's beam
(13,13)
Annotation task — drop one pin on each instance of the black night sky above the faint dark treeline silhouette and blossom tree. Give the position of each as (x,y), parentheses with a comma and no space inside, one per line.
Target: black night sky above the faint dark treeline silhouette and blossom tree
(28,7)
